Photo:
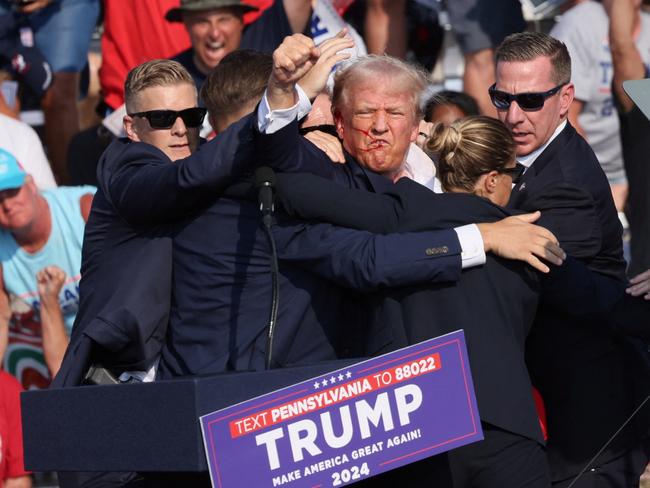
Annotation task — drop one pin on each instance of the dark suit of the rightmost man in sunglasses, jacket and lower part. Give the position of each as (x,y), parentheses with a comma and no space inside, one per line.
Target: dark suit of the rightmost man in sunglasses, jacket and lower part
(583,372)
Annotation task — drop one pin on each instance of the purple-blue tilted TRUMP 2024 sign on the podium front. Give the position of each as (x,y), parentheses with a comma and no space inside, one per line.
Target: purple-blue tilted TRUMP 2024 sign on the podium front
(349,424)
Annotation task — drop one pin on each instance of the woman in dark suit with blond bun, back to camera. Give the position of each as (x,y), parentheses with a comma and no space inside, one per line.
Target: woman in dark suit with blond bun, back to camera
(503,297)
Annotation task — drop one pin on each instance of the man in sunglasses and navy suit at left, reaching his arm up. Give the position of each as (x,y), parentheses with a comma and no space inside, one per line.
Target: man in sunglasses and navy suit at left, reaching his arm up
(127,249)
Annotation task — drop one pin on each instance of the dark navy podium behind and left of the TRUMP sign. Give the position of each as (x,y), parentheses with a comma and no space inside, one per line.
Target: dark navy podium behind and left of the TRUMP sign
(139,426)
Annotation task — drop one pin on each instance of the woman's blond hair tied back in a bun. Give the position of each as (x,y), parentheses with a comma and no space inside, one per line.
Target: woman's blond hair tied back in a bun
(468,148)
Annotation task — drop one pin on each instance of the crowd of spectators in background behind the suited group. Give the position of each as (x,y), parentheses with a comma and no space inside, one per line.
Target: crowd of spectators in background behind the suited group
(50,63)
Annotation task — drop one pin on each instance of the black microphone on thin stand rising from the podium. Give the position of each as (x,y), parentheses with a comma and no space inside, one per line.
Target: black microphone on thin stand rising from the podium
(264,182)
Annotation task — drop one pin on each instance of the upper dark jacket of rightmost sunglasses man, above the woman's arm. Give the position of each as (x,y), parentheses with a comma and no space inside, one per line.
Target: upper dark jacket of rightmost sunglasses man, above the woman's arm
(567,183)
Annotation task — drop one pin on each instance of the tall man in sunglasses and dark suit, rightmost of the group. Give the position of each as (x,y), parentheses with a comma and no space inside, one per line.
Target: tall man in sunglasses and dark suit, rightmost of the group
(582,373)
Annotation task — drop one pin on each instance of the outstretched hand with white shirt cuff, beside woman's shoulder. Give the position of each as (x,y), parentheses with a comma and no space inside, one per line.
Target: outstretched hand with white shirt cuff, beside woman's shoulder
(518,238)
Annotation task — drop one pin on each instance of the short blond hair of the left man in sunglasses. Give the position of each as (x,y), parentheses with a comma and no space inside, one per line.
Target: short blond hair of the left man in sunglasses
(157,72)
